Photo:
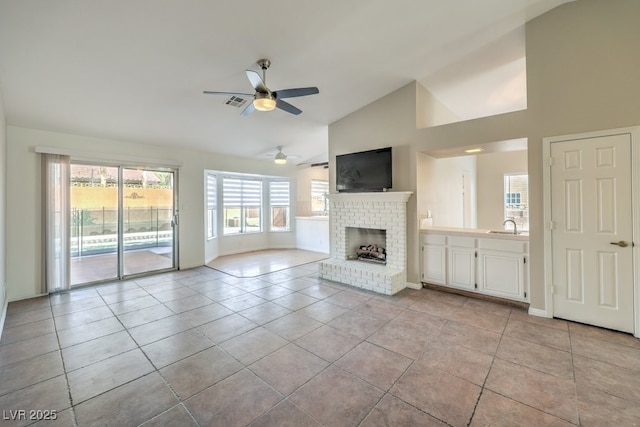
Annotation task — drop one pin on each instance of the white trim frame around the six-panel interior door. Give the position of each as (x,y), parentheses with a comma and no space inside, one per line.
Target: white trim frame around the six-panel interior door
(634,132)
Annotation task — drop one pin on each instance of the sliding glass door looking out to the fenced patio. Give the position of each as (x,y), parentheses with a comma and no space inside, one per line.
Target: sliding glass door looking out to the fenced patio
(122,222)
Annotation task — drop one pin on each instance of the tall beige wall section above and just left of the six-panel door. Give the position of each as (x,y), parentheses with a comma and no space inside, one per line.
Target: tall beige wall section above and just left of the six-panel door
(582,62)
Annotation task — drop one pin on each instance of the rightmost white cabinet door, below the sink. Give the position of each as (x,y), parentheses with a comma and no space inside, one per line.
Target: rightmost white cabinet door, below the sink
(501,274)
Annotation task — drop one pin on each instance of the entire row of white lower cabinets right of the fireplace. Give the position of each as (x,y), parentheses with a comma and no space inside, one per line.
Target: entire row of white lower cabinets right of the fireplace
(490,266)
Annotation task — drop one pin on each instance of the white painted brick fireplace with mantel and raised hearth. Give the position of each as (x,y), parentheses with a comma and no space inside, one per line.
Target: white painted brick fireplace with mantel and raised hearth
(385,211)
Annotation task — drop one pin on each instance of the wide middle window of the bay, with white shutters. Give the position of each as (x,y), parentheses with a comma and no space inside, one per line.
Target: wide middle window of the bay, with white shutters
(242,200)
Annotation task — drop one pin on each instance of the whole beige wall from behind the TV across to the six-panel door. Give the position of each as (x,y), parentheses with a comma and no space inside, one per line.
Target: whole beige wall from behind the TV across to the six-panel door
(582,62)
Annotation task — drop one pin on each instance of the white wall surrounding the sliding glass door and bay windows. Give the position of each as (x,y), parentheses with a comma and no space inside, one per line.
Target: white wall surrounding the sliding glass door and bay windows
(24,209)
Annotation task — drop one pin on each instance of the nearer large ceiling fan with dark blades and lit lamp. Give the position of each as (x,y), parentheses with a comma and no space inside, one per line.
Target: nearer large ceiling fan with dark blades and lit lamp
(264,99)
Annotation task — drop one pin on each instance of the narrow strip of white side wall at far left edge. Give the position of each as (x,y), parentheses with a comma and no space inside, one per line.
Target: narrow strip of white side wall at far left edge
(3,209)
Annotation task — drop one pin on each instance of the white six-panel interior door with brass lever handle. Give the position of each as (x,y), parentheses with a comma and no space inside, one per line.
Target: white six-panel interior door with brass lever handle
(591,213)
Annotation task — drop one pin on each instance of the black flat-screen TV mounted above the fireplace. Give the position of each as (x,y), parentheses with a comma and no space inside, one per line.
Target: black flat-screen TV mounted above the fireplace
(364,171)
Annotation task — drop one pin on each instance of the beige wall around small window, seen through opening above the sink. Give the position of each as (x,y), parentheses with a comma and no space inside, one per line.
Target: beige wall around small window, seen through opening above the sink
(491,168)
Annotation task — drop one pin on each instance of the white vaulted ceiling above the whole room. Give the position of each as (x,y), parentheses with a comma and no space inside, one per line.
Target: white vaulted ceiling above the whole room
(135,70)
